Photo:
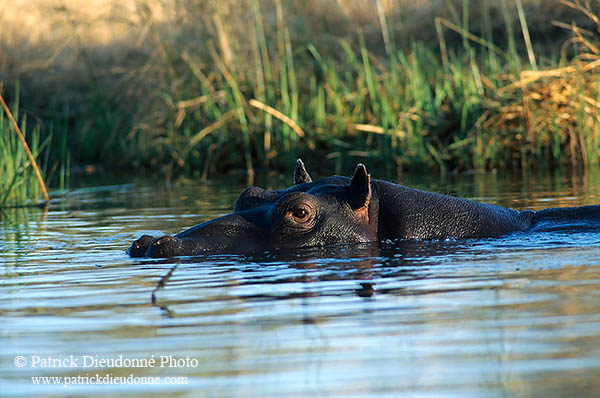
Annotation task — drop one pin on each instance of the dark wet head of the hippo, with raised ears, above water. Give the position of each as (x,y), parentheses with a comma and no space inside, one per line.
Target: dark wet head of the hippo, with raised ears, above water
(310,213)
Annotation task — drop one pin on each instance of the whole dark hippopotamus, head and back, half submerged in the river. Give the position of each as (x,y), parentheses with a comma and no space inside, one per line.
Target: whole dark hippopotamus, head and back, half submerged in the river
(349,210)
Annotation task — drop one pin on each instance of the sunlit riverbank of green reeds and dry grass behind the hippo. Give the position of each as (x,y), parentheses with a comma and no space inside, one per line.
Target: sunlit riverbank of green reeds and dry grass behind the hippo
(198,88)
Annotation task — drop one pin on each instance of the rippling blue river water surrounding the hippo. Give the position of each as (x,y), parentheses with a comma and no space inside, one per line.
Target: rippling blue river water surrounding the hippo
(515,316)
